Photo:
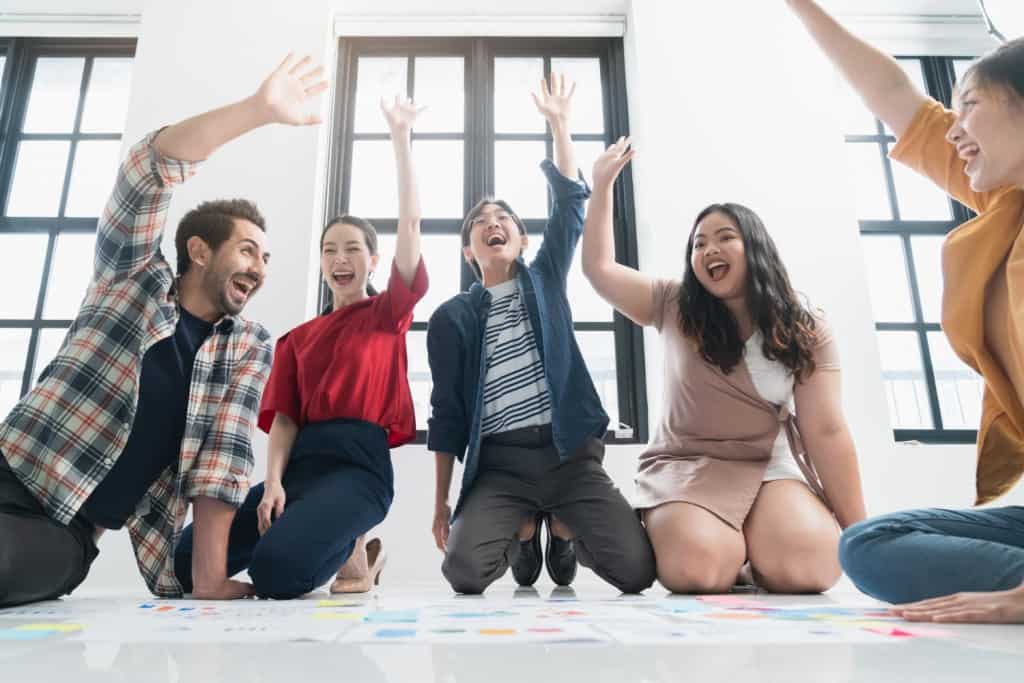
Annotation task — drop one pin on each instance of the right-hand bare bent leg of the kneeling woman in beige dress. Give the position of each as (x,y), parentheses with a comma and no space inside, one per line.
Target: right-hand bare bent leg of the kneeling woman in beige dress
(792,540)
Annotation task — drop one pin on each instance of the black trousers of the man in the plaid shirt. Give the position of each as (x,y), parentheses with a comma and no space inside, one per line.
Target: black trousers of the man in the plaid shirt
(40,560)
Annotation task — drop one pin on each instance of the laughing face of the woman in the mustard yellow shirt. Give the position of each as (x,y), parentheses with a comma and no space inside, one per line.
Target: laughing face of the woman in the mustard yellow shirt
(989,135)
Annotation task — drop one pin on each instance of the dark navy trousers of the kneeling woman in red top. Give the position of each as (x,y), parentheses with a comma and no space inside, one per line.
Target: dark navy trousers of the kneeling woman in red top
(338,486)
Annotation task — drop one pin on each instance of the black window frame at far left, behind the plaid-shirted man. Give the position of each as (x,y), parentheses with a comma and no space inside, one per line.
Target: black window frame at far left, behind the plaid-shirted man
(18,75)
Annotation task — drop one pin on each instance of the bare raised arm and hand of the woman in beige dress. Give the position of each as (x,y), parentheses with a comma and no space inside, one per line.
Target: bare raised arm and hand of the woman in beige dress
(628,290)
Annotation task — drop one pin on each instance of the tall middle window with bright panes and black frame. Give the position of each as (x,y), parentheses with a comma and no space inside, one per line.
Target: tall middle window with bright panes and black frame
(483,137)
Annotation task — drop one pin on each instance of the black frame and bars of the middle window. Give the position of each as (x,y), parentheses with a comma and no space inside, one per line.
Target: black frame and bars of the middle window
(479,167)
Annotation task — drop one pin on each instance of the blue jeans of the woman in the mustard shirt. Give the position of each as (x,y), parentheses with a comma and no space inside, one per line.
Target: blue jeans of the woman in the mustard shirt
(921,554)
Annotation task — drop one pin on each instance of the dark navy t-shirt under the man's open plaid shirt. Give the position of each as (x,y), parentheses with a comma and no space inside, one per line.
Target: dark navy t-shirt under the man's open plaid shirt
(155,442)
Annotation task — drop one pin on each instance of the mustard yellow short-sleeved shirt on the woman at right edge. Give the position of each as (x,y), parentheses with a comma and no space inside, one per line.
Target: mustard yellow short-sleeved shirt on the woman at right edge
(984,295)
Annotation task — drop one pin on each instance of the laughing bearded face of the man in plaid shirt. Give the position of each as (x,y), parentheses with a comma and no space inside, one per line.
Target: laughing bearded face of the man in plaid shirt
(237,269)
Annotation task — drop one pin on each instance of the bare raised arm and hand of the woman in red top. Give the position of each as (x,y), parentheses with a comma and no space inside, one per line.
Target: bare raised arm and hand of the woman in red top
(401,117)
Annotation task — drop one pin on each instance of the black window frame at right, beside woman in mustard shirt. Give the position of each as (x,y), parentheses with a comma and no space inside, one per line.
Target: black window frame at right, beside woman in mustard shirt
(940,78)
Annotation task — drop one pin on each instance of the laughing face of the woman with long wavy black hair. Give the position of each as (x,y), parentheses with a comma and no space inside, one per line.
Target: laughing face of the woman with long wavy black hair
(718,258)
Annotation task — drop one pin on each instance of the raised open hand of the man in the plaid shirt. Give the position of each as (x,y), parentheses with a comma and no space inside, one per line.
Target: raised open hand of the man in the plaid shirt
(283,96)
